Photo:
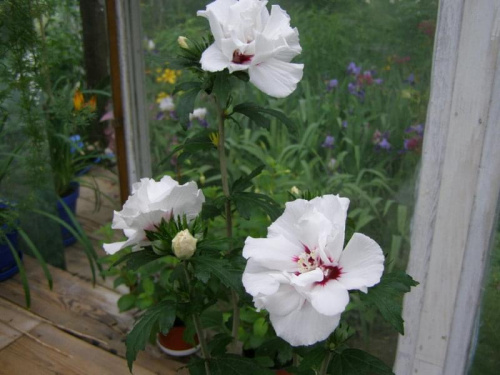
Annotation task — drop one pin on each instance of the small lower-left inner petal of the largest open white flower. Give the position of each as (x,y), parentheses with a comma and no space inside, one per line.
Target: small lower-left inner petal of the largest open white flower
(283,302)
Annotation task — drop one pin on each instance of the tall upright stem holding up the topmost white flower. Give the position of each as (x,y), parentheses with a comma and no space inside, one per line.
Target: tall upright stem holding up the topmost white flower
(229,221)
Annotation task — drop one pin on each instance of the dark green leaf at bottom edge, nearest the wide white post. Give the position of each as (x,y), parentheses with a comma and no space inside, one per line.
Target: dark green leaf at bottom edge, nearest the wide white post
(357,362)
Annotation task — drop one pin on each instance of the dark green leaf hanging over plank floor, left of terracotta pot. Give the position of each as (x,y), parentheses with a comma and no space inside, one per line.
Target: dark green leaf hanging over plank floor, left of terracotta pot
(162,315)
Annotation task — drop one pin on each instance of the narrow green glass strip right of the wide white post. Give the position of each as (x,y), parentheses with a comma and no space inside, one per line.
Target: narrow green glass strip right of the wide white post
(486,350)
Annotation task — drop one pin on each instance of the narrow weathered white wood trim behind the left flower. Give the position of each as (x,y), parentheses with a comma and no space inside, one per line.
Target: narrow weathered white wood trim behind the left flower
(132,70)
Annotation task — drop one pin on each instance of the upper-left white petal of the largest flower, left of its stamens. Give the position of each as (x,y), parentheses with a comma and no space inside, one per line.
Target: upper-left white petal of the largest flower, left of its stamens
(276,253)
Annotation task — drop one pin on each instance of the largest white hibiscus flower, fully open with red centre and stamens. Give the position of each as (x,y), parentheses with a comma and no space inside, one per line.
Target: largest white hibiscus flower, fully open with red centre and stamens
(301,275)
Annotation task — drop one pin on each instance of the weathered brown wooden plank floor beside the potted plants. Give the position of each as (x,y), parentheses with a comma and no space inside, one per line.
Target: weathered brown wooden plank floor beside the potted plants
(75,328)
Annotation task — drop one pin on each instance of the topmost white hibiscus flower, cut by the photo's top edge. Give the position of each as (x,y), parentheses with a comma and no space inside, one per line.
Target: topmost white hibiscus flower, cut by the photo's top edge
(248,37)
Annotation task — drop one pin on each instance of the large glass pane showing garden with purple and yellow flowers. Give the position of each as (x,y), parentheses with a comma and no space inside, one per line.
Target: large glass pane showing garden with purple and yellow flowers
(359,113)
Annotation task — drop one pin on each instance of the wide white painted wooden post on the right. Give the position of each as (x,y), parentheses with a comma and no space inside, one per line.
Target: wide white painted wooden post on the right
(458,191)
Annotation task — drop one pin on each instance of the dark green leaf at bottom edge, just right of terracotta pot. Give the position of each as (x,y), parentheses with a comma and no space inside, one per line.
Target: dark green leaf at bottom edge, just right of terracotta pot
(229,364)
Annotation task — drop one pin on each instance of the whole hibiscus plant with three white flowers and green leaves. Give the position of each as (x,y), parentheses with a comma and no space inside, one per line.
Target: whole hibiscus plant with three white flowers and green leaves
(300,278)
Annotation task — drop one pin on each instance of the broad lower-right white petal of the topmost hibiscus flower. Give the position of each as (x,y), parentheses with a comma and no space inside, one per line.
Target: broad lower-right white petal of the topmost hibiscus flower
(276,78)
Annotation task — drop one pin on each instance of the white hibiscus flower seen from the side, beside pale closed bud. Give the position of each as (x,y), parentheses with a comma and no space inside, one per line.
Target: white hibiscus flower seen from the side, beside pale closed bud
(150,202)
